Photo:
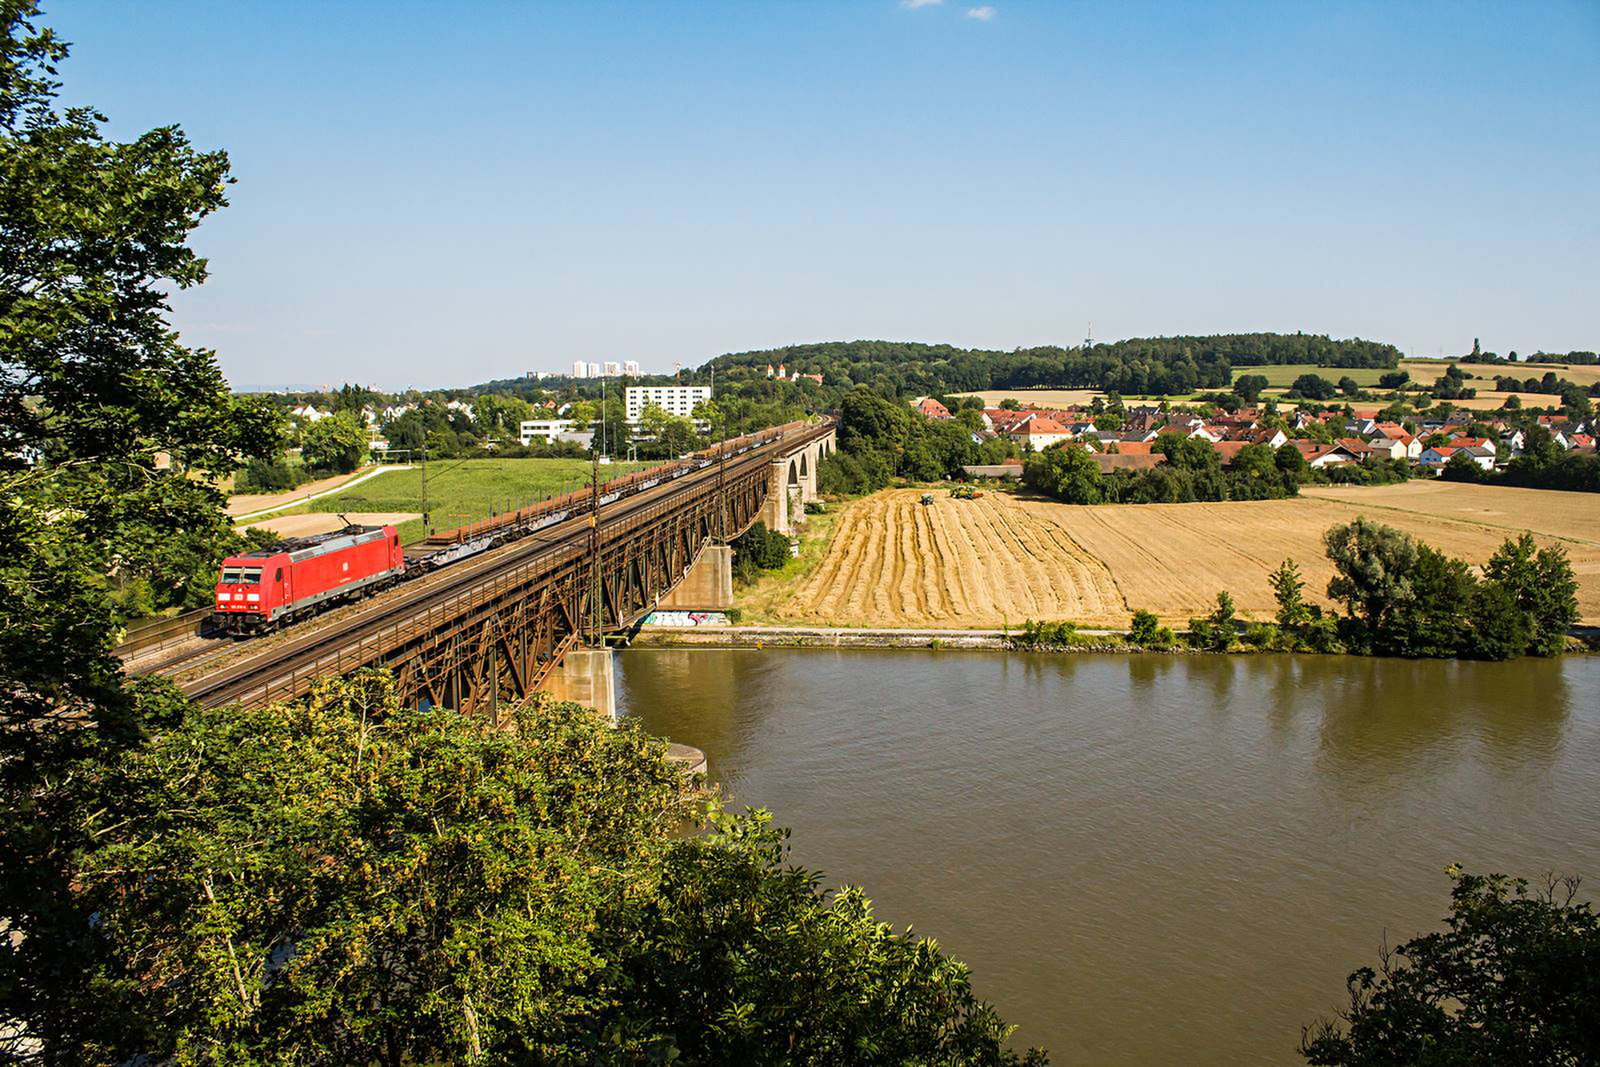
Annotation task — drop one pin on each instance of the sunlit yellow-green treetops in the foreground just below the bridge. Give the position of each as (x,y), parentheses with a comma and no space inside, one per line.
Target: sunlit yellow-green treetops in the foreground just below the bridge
(350,881)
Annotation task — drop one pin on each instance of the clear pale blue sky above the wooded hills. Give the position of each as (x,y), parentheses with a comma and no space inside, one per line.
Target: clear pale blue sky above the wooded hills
(444,194)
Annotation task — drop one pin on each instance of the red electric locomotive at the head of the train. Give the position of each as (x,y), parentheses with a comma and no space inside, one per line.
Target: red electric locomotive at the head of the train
(260,591)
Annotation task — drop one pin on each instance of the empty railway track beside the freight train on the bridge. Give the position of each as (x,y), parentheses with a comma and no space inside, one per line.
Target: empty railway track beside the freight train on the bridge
(313,650)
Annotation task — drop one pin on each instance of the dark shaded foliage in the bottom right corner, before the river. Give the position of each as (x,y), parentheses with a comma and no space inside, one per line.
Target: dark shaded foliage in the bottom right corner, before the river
(1514,978)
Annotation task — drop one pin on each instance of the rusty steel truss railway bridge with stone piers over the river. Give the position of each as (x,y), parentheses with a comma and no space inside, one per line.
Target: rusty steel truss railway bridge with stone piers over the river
(530,613)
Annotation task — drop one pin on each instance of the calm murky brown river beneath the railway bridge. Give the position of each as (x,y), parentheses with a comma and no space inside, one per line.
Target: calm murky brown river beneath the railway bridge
(1148,860)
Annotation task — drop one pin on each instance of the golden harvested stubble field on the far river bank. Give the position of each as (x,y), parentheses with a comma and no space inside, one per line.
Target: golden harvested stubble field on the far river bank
(1006,559)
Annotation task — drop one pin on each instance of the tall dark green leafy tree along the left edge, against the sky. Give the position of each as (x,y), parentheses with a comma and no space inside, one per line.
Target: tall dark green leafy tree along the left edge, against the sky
(111,439)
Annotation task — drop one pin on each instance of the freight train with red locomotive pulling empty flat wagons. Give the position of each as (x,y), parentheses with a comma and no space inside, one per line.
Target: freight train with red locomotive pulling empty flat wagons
(262,591)
